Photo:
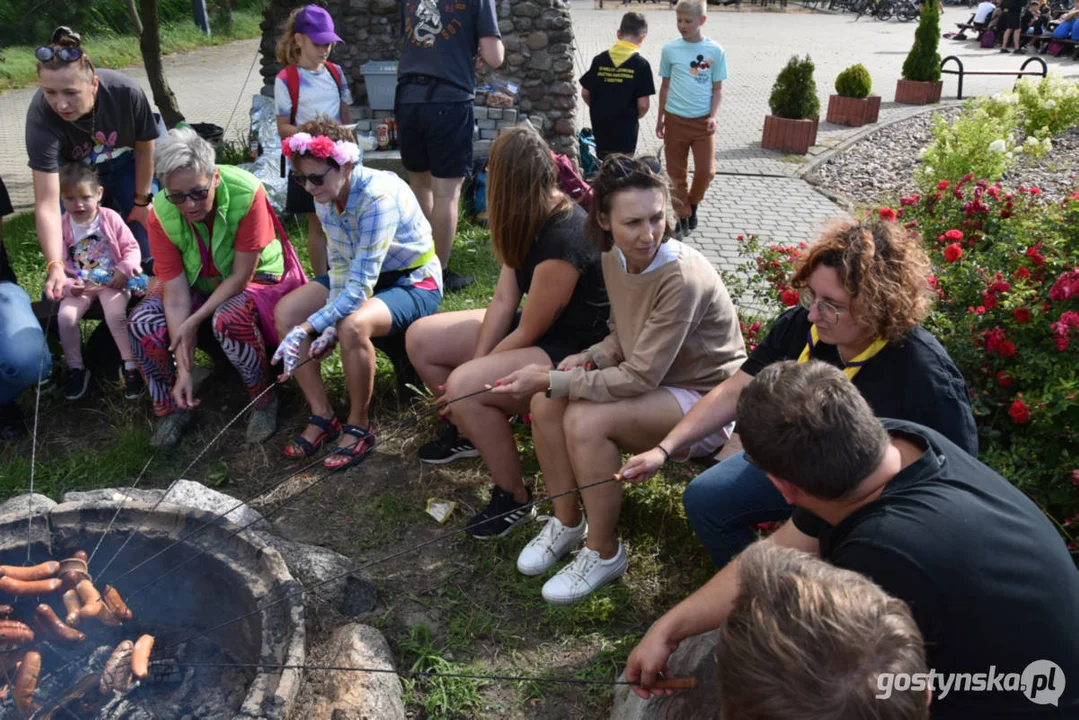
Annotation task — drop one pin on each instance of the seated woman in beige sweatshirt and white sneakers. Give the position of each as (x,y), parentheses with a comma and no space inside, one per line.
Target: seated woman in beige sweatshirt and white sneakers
(674,336)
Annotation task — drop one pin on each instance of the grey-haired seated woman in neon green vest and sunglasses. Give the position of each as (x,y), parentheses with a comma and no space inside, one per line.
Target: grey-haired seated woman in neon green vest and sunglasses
(222,256)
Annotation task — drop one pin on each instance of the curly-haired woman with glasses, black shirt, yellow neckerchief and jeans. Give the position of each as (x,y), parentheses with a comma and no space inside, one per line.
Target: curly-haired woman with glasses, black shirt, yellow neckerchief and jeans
(865,293)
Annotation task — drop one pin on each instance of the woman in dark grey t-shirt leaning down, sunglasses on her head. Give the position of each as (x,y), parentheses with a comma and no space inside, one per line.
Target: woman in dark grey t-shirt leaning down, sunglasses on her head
(97,117)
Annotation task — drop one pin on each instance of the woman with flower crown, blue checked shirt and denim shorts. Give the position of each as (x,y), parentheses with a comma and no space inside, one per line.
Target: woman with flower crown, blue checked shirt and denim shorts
(384,276)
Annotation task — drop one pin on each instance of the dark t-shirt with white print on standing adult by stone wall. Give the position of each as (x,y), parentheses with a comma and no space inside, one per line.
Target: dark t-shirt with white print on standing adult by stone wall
(442,40)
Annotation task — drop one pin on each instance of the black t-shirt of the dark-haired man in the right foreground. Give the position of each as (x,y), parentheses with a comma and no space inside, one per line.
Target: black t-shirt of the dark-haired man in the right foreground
(989,580)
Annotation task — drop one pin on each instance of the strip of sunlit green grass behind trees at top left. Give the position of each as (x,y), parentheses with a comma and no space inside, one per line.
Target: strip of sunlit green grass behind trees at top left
(118,51)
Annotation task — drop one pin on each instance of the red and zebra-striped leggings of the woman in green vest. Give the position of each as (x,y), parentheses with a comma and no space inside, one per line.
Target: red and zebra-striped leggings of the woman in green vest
(237,329)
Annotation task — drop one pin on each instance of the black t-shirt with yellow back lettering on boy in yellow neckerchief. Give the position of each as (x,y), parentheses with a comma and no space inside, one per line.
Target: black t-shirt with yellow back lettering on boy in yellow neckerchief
(614,92)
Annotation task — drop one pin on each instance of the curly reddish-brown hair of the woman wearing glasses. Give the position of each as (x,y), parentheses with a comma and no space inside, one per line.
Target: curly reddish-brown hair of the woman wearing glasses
(882,266)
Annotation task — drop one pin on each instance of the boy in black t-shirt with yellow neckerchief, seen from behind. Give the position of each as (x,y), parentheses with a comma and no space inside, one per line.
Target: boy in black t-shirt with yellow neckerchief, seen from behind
(617,89)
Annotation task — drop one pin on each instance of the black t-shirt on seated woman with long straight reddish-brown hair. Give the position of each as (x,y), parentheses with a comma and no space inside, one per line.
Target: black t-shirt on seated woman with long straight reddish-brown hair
(584,320)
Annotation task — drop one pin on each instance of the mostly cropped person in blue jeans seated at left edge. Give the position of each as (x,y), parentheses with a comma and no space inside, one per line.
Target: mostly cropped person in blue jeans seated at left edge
(23,354)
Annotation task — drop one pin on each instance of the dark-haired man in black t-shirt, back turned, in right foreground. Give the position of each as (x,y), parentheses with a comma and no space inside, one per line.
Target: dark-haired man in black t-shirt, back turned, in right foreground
(988,579)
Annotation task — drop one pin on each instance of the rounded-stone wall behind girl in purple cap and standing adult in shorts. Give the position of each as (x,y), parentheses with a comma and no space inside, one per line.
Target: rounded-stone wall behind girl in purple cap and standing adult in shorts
(539,40)
